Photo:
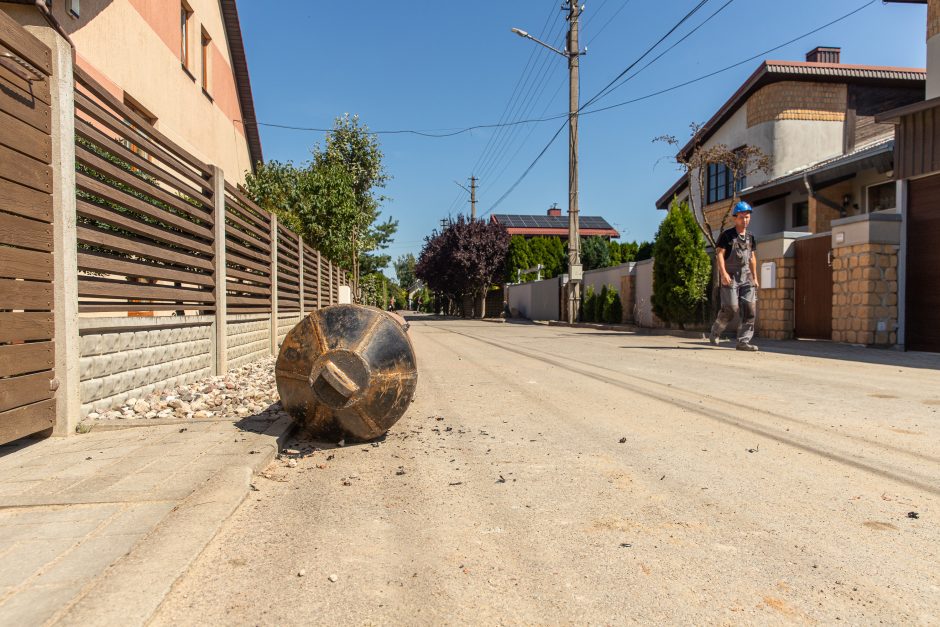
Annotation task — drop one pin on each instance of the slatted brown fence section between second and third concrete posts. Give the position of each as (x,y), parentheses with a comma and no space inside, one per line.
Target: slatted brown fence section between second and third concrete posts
(247,254)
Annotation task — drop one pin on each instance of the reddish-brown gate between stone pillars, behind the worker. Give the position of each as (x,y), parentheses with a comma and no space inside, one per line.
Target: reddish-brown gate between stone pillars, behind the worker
(813,292)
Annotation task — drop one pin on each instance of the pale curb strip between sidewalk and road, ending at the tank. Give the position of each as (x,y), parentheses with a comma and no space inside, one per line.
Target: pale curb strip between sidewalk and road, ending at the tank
(131,590)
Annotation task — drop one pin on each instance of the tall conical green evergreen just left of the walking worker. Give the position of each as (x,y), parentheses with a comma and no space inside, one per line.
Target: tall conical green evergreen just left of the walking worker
(682,269)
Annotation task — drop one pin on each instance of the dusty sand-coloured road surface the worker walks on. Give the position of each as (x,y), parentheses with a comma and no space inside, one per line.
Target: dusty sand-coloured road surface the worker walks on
(551,475)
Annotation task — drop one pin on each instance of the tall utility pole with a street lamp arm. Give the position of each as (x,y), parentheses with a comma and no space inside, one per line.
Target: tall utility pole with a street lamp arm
(572,53)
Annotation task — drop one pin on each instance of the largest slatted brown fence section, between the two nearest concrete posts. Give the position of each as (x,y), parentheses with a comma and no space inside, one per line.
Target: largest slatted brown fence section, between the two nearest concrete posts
(145,212)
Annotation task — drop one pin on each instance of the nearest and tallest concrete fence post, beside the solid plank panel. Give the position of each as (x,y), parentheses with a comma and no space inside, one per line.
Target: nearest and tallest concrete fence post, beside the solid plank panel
(64,235)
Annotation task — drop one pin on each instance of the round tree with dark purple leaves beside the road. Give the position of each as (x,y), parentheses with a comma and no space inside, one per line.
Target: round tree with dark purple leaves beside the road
(465,258)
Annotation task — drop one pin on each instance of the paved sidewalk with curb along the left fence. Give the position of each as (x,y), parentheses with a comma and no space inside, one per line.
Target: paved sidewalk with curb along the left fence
(95,528)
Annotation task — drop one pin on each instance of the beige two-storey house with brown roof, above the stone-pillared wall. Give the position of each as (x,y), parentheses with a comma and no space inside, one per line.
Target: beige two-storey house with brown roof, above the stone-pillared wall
(803,114)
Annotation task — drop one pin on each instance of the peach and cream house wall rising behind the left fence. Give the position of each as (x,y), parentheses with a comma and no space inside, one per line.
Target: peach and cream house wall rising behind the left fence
(133,47)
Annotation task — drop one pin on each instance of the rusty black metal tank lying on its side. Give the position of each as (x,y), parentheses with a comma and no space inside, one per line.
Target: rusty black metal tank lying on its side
(347,370)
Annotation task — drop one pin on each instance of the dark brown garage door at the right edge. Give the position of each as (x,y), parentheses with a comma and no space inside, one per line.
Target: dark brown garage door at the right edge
(922,317)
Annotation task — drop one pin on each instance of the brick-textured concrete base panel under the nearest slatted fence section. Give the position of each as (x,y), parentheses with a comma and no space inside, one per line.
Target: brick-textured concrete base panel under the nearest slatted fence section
(126,357)
